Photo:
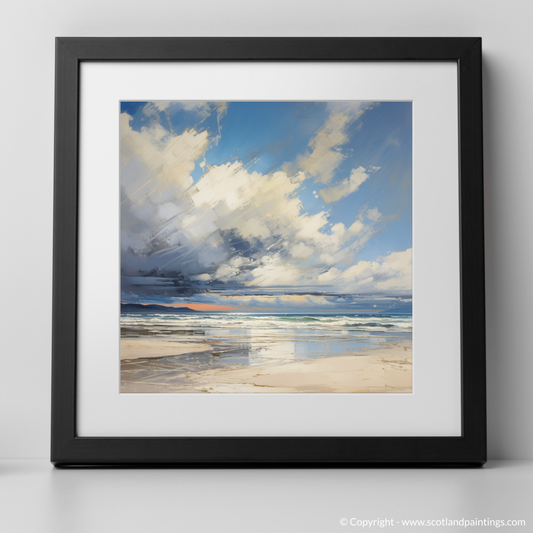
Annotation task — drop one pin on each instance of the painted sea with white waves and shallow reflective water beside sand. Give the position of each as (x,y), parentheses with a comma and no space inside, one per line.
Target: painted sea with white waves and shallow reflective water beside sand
(254,337)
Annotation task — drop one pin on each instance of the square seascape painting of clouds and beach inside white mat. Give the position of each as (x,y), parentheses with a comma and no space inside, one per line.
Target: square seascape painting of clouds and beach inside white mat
(266,247)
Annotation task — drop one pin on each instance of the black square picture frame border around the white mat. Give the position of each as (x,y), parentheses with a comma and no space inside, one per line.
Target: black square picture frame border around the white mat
(68,449)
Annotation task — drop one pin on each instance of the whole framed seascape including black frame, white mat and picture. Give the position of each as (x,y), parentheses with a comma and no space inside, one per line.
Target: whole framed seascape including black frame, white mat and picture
(268,251)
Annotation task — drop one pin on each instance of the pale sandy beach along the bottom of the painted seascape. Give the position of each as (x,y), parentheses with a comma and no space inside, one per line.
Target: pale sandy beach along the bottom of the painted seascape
(385,369)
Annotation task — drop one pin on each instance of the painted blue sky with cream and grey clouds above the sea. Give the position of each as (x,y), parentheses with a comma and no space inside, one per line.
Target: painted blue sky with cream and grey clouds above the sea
(284,205)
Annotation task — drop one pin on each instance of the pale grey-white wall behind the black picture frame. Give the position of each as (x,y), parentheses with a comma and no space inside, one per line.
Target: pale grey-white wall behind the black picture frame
(26,132)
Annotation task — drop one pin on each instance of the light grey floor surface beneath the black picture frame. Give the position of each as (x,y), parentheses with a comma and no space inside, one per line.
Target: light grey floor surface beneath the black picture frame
(35,497)
